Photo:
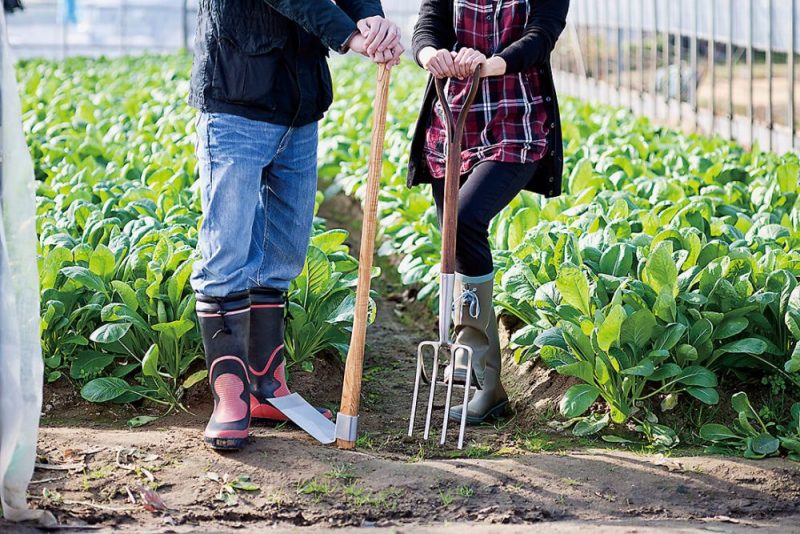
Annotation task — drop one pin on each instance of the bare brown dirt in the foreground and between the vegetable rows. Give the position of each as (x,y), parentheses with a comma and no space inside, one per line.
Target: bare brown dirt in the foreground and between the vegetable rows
(506,479)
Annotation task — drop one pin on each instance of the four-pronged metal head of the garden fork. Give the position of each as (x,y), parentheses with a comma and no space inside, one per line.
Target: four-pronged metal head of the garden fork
(440,354)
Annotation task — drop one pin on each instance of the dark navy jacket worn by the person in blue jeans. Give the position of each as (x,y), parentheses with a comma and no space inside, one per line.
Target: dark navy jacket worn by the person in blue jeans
(267,59)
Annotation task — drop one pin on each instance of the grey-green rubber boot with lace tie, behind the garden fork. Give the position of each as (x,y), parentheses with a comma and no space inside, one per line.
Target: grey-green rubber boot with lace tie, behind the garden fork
(476,326)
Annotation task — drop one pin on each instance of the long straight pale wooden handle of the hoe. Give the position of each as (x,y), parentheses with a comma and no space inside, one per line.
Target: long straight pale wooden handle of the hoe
(354,368)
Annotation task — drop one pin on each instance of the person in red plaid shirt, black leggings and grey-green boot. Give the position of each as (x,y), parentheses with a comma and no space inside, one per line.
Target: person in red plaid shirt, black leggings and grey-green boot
(512,142)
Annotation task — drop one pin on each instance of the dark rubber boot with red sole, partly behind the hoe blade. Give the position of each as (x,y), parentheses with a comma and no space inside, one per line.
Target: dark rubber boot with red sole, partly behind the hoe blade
(267,363)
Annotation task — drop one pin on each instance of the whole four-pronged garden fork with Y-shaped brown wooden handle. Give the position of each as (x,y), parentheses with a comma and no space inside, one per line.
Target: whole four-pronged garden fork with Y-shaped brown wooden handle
(444,346)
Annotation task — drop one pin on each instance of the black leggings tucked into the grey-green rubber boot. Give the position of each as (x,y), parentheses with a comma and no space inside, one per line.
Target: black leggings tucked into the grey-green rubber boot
(485,191)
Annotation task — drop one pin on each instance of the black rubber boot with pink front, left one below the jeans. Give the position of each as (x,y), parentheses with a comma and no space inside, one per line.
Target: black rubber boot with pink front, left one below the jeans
(225,326)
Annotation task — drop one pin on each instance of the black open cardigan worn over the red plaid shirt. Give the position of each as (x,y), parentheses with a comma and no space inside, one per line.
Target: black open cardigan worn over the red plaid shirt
(548,18)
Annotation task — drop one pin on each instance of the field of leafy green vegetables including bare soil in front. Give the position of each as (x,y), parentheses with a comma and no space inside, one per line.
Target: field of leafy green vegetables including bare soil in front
(661,289)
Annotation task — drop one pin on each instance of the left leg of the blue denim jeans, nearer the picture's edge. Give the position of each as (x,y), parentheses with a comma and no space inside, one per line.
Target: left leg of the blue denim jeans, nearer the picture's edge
(232,154)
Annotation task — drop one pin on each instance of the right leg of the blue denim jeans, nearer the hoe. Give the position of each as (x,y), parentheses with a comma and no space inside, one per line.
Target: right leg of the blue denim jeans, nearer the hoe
(291,182)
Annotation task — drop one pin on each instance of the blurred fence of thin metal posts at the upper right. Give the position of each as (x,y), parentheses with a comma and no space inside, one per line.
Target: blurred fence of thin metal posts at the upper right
(725,67)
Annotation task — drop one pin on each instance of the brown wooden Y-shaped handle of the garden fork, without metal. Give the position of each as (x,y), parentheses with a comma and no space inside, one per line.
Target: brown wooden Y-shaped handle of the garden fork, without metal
(455,134)
